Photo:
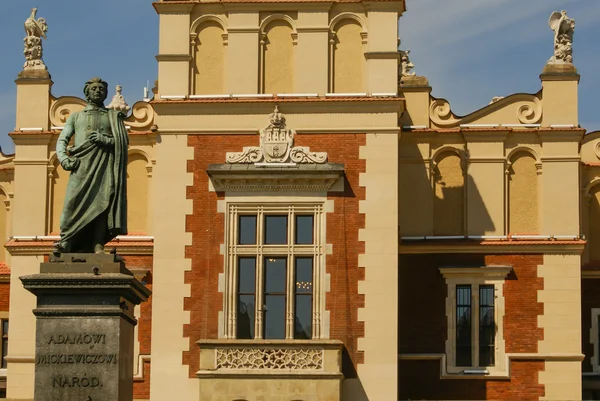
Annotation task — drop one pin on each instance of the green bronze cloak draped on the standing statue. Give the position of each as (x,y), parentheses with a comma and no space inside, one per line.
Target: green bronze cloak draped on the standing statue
(97,187)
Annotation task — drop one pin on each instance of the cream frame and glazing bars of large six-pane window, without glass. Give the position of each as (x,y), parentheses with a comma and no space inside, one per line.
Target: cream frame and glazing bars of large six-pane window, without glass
(260,251)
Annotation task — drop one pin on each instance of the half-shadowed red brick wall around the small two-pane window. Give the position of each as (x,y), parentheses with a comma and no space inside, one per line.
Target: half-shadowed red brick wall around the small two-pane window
(423,327)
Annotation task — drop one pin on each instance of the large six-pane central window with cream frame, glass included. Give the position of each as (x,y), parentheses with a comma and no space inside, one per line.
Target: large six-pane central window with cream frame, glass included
(274,271)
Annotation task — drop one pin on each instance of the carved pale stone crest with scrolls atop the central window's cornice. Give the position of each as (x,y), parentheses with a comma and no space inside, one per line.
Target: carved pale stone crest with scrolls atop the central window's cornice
(276,147)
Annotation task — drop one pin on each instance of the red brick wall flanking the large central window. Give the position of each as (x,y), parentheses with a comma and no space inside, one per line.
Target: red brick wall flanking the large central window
(207,228)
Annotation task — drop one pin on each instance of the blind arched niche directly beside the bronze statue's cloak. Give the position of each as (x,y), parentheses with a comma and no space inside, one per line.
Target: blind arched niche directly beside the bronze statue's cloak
(137,194)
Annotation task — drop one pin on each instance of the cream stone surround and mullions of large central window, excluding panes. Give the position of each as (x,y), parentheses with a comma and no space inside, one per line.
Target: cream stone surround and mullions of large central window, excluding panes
(235,206)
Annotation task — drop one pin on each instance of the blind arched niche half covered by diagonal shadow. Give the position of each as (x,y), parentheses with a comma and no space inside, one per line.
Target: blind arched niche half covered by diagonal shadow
(449,189)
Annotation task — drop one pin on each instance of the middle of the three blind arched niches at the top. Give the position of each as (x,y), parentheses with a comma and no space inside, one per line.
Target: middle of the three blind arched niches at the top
(278,56)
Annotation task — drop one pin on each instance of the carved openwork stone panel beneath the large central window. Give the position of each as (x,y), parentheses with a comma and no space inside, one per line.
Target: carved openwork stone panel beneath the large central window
(269,359)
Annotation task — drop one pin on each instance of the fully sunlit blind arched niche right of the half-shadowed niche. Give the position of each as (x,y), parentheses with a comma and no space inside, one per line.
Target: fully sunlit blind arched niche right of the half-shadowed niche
(523,194)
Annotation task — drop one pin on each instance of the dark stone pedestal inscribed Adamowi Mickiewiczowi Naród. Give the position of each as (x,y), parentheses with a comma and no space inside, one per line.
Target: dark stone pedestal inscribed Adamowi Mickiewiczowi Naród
(84,328)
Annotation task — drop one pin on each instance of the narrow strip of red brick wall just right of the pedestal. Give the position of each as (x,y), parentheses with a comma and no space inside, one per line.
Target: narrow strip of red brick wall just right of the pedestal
(141,388)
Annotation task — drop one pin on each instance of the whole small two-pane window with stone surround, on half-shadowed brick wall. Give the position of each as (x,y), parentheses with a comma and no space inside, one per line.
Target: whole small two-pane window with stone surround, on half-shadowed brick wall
(475,311)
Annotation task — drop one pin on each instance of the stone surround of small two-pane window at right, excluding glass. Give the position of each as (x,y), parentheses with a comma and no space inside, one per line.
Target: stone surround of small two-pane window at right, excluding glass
(476,276)
